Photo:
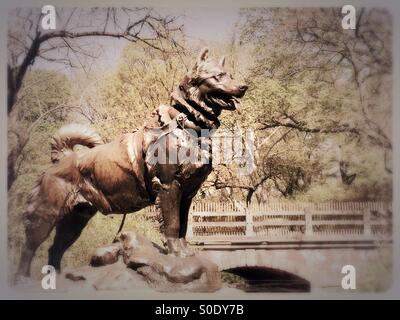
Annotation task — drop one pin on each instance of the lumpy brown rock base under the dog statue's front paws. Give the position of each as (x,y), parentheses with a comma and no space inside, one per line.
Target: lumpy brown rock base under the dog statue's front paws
(133,260)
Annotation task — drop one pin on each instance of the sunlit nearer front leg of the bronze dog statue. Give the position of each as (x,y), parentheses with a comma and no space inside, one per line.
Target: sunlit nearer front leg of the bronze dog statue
(169,197)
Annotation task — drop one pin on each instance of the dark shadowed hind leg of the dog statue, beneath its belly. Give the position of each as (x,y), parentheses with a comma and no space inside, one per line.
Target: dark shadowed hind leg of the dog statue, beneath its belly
(68,231)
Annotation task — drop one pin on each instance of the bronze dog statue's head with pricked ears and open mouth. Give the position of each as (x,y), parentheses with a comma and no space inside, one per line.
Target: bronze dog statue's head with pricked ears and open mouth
(211,87)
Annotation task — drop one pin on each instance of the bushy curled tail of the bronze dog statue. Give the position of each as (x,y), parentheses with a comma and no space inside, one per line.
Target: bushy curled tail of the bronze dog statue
(63,142)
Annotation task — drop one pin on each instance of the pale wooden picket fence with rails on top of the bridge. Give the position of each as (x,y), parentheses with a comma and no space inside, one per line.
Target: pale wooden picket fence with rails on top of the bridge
(331,221)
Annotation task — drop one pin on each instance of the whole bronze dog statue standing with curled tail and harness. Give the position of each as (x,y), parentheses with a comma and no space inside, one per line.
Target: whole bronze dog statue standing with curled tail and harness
(119,177)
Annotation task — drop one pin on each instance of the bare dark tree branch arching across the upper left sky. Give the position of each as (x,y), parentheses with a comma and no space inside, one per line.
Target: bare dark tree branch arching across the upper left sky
(146,29)
